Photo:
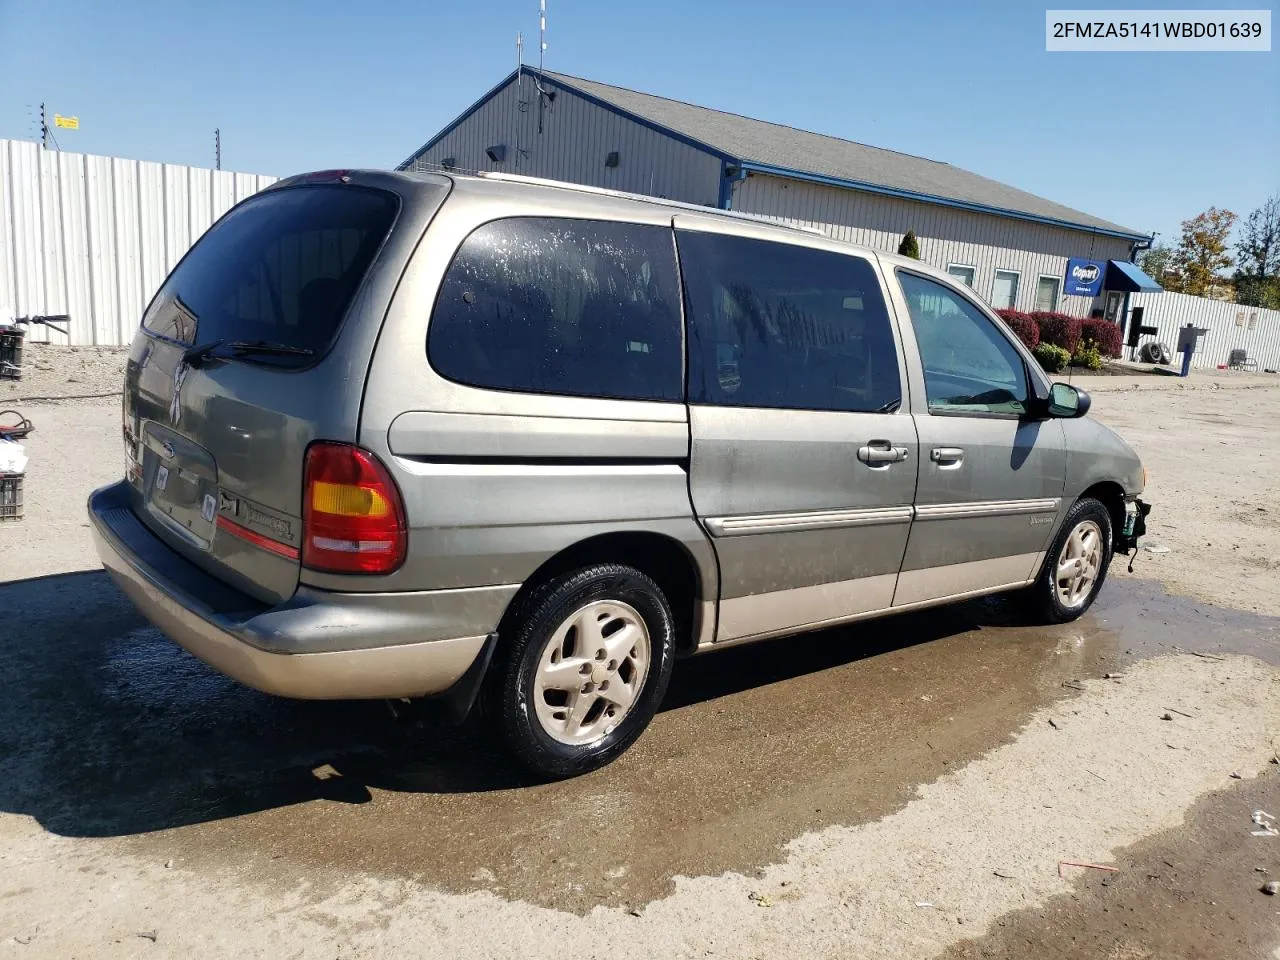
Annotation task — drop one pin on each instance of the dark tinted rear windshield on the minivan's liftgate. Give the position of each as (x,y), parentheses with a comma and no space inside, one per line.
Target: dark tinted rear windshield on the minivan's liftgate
(282,268)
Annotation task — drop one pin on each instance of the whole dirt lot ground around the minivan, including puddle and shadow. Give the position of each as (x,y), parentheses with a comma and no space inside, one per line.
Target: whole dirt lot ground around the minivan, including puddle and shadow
(884,792)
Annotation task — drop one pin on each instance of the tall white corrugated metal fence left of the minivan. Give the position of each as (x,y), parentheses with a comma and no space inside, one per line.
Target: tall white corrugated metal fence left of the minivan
(94,237)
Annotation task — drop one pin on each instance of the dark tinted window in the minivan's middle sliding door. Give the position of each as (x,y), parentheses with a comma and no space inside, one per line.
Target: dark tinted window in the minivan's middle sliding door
(780,326)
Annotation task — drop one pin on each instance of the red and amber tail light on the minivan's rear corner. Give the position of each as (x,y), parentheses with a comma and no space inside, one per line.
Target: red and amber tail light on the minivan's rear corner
(353,513)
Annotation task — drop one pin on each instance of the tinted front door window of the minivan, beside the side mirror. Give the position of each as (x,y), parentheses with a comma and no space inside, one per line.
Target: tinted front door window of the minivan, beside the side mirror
(970,365)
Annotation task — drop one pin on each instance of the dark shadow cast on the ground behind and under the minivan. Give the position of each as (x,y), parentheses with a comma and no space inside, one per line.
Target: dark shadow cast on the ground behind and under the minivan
(108,729)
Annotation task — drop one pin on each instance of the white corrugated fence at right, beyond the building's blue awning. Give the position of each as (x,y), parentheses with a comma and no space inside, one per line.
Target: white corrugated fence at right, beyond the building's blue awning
(1231,327)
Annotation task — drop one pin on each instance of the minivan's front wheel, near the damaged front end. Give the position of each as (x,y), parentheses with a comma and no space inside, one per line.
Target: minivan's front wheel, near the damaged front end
(1076,566)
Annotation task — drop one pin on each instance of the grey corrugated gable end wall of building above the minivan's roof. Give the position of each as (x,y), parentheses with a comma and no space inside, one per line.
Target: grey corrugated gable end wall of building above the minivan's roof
(577,139)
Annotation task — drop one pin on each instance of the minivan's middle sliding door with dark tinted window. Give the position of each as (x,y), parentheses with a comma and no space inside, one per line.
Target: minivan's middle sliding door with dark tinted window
(804,454)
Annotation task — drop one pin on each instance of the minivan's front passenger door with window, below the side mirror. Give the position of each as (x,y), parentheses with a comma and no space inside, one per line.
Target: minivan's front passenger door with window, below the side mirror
(991,482)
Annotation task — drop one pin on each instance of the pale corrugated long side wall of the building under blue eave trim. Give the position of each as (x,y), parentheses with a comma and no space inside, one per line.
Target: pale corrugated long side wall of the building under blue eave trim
(947,235)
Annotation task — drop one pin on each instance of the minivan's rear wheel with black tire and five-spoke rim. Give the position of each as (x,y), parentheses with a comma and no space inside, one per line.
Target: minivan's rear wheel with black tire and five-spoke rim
(583,669)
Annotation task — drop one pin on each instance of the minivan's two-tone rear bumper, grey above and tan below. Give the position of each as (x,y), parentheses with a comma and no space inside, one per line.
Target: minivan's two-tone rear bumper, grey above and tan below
(319,646)
